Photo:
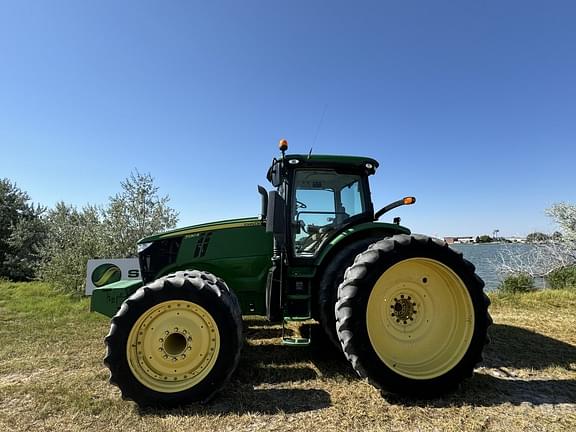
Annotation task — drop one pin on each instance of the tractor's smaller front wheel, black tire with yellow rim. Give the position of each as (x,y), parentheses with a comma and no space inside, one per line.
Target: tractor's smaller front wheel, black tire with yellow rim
(175,341)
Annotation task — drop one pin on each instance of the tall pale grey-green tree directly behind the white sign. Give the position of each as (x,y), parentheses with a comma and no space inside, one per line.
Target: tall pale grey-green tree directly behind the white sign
(136,212)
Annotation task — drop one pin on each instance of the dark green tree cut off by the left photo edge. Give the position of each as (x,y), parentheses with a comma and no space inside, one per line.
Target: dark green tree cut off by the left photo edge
(22,232)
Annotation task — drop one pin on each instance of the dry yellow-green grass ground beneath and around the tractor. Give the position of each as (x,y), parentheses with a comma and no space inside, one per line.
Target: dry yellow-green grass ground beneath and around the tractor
(52,377)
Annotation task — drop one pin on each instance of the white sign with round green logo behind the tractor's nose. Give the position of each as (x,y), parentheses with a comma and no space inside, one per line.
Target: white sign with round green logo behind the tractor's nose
(102,272)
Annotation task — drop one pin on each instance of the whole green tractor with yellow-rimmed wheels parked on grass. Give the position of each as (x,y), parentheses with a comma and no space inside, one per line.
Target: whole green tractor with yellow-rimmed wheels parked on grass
(408,312)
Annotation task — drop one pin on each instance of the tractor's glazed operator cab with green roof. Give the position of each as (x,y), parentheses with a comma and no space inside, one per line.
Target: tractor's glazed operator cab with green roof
(318,197)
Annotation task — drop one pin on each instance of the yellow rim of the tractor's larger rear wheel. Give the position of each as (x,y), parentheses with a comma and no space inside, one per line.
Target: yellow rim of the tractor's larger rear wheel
(420,318)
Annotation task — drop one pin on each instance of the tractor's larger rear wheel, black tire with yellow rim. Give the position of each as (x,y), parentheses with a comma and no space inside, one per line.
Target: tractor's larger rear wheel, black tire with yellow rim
(412,317)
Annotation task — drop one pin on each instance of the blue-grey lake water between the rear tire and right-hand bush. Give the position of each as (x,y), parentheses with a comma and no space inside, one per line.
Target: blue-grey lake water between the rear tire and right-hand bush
(484,256)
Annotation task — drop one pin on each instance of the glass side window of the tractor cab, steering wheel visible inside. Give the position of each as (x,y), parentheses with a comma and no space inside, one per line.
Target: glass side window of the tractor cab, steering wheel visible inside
(323,201)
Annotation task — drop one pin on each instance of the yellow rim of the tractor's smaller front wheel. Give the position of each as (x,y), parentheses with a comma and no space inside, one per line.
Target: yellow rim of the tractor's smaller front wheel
(173,346)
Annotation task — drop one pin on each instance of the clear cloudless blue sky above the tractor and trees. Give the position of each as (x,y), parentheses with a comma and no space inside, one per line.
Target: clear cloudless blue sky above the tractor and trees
(469,106)
